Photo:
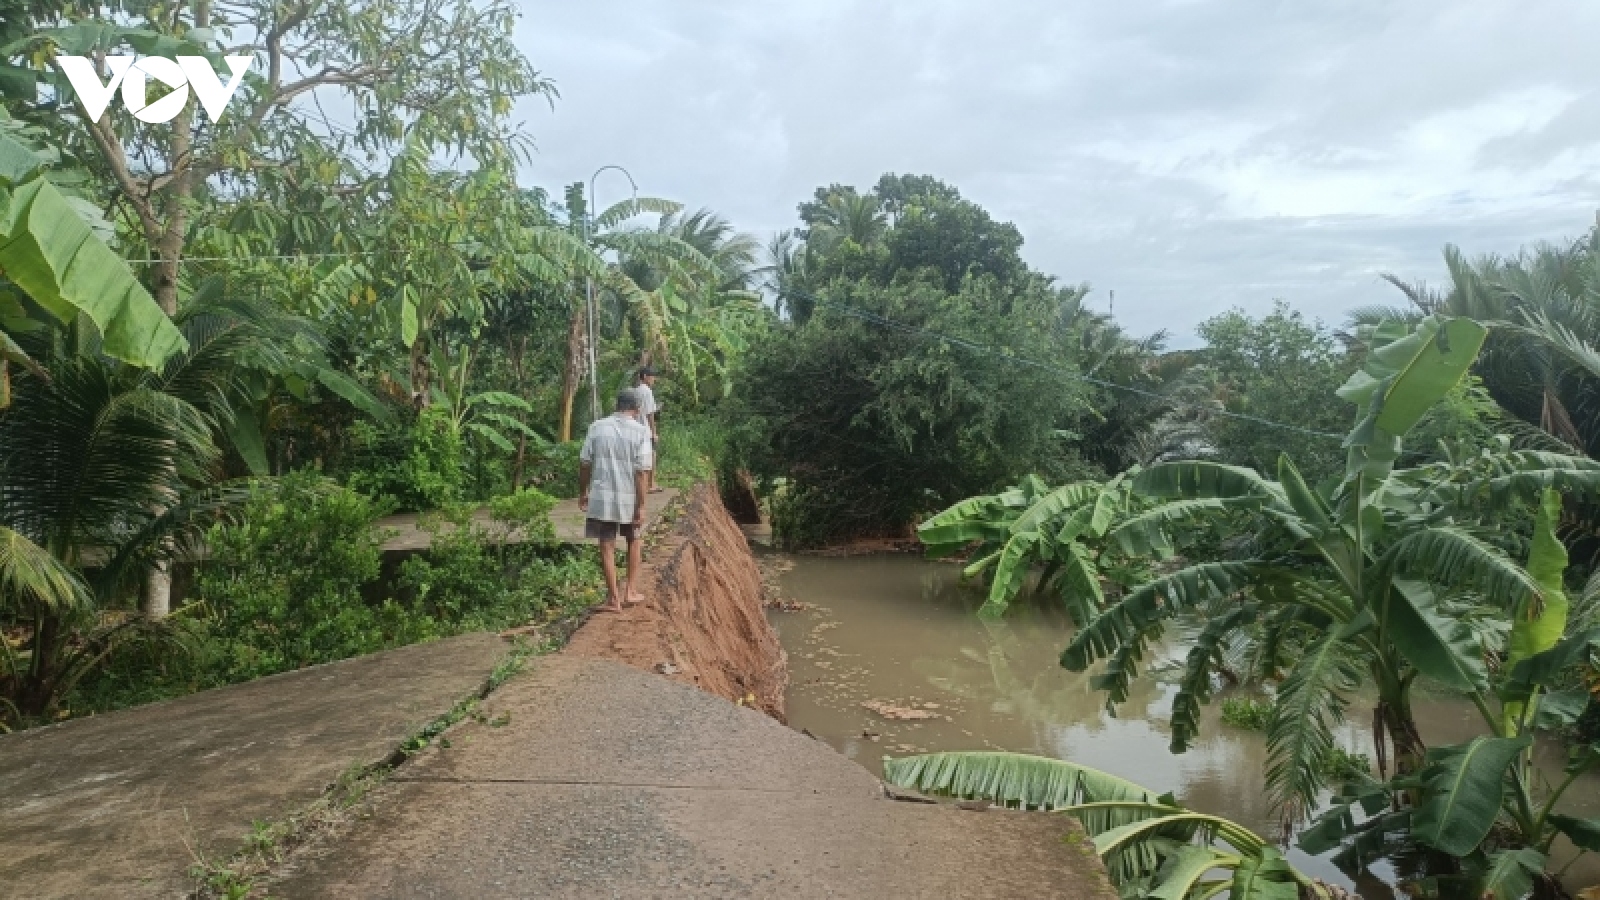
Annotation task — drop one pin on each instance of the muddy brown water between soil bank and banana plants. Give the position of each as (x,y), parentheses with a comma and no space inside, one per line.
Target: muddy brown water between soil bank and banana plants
(894,637)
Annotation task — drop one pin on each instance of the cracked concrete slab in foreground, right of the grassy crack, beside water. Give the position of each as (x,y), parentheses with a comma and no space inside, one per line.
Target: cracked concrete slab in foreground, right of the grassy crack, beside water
(602,781)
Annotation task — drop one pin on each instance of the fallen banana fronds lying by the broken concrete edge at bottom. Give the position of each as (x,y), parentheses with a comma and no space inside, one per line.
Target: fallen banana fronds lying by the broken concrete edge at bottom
(1153,846)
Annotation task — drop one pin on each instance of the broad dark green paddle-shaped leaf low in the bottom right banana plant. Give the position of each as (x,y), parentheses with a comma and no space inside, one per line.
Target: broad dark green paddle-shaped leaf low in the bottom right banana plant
(1462,792)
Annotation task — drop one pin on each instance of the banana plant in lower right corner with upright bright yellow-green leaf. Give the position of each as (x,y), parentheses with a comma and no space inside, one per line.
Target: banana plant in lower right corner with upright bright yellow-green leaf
(1489,785)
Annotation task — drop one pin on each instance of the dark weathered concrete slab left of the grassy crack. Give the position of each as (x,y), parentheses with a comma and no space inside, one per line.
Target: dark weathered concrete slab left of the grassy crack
(124,803)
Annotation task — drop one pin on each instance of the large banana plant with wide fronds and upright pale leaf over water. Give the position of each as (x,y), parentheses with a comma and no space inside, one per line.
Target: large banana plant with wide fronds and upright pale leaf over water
(1382,579)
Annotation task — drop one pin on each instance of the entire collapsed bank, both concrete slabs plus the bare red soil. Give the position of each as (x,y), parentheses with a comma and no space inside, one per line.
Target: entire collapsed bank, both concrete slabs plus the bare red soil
(644,758)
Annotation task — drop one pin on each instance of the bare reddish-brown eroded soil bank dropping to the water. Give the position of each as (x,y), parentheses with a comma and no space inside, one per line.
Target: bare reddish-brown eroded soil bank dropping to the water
(703,621)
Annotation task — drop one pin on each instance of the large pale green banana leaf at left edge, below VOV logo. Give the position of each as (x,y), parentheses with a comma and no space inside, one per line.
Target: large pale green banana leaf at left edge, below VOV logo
(49,252)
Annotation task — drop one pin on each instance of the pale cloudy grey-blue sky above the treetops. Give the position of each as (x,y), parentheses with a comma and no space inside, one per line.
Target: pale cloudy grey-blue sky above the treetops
(1188,155)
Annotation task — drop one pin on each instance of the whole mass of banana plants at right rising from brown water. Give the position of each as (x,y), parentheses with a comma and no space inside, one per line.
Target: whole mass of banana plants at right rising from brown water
(1372,581)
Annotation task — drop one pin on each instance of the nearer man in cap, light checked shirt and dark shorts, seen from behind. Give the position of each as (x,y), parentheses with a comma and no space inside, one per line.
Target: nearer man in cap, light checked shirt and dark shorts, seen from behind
(614,470)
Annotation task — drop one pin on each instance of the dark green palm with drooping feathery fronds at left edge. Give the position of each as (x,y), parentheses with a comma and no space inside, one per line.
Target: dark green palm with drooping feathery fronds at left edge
(110,472)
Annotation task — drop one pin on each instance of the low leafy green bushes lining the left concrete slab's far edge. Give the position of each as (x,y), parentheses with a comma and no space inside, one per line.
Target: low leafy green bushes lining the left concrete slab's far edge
(286,587)
